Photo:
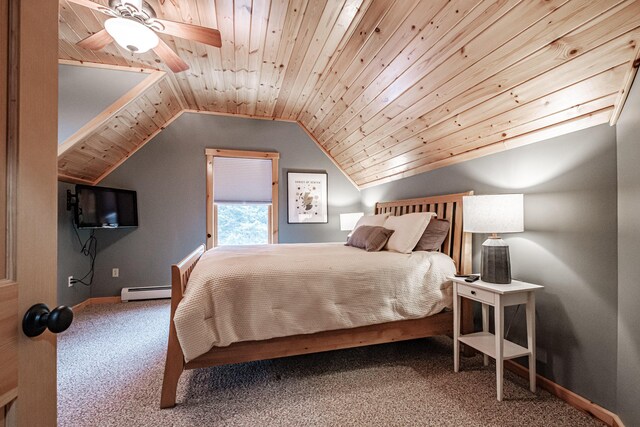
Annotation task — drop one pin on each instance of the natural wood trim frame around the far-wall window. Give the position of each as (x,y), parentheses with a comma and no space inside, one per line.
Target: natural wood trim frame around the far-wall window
(212,208)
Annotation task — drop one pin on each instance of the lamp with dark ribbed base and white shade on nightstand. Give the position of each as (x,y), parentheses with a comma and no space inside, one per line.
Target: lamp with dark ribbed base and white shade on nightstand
(493,214)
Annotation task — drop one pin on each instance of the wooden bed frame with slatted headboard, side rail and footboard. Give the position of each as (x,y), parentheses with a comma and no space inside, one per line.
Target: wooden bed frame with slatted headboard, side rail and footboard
(457,245)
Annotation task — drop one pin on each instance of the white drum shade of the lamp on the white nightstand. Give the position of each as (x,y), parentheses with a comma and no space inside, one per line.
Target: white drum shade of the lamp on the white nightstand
(500,213)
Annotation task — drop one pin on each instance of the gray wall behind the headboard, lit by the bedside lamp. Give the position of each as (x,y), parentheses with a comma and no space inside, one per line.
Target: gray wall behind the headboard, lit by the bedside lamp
(569,246)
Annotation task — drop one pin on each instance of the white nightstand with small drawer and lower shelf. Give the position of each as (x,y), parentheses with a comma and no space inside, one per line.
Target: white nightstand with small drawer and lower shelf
(497,296)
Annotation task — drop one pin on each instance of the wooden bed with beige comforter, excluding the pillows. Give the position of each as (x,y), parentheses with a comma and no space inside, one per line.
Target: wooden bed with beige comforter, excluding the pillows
(238,335)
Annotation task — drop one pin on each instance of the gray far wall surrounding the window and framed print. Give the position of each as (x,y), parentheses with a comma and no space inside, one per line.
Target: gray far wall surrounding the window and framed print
(169,176)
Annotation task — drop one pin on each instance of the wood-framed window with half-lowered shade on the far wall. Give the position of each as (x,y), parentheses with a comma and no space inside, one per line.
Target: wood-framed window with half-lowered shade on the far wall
(242,197)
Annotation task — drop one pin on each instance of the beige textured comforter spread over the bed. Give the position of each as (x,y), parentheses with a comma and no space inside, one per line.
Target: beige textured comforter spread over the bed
(244,293)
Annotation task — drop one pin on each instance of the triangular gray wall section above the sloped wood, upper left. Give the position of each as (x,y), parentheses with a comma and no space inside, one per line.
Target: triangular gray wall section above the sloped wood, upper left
(85,92)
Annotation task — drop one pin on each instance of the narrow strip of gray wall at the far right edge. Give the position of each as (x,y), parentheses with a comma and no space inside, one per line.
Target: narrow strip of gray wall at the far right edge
(628,137)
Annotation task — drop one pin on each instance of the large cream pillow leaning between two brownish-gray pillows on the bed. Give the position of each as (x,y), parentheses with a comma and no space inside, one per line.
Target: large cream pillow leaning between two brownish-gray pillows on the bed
(408,230)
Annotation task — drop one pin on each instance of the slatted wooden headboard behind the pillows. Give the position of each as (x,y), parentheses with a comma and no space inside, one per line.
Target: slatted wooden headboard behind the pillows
(449,206)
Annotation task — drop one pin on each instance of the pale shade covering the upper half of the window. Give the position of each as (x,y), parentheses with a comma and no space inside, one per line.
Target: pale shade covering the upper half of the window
(238,180)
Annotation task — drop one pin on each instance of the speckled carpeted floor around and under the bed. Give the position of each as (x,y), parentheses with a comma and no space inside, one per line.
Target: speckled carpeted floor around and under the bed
(110,365)
